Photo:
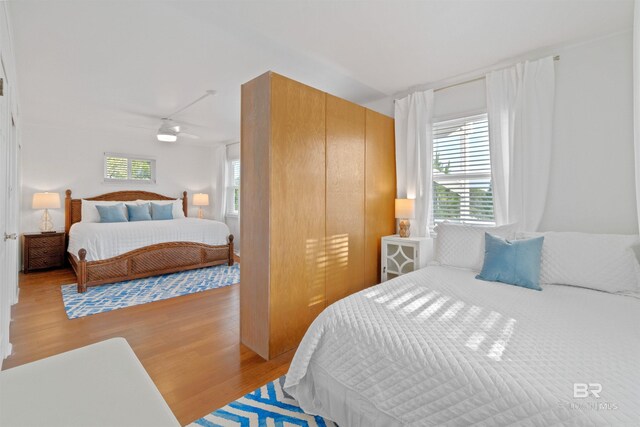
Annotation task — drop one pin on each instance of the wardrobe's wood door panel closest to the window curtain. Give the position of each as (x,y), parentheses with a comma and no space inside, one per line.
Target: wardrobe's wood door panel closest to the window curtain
(380,173)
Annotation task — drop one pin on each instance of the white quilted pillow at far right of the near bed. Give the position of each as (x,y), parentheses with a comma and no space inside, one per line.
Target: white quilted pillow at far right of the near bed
(605,262)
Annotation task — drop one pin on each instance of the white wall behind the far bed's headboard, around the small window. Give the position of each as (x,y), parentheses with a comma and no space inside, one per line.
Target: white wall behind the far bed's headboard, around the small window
(54,159)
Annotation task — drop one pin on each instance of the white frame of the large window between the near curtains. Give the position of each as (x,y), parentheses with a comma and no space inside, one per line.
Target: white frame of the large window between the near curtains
(466,176)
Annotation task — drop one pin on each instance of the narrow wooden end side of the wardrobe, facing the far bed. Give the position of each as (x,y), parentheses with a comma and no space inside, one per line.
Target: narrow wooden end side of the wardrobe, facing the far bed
(254,222)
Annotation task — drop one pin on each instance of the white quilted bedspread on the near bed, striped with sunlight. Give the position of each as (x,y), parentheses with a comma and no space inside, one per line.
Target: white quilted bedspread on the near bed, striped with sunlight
(437,347)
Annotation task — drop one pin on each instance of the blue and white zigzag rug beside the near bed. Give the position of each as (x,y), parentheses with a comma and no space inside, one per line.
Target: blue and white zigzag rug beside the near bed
(269,405)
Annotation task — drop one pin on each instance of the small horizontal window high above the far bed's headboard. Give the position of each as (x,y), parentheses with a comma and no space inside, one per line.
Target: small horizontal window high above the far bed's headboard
(124,168)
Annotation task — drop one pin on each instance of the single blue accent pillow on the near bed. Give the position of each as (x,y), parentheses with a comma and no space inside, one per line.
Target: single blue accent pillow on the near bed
(513,262)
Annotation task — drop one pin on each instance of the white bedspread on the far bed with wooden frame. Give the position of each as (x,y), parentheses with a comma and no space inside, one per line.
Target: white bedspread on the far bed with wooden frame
(104,241)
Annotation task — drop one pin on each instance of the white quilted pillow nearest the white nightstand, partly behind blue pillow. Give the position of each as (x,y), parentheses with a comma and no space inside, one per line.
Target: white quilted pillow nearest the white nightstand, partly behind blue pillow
(462,245)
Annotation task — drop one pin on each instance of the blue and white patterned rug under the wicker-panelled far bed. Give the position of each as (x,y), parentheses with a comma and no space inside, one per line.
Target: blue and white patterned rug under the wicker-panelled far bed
(99,299)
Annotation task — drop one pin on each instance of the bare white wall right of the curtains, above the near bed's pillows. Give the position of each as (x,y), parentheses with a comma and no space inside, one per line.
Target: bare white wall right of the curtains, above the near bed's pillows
(592,184)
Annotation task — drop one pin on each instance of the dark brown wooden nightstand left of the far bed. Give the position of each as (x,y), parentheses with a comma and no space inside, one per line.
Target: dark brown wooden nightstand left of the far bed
(43,250)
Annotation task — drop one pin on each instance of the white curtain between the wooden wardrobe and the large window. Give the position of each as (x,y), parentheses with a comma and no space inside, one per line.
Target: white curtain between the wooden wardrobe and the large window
(414,148)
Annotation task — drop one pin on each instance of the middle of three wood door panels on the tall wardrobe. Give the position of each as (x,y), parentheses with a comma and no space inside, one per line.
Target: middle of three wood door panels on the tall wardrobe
(345,132)
